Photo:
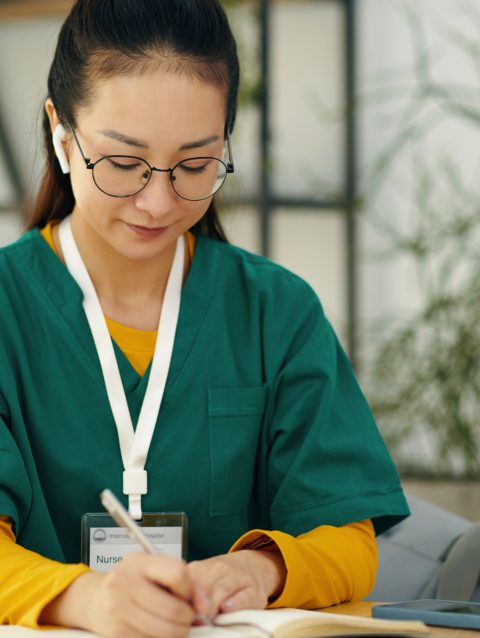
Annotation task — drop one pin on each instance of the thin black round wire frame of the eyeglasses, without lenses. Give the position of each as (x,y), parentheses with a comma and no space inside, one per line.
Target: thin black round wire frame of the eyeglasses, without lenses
(229,169)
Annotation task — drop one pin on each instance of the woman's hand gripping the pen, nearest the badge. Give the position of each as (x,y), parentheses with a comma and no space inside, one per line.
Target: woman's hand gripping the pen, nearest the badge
(144,596)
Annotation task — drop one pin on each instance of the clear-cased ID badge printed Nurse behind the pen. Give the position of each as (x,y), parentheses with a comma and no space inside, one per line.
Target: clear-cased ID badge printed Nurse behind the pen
(104,545)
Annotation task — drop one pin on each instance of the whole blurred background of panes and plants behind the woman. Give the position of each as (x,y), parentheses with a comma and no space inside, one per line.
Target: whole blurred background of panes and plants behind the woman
(357,156)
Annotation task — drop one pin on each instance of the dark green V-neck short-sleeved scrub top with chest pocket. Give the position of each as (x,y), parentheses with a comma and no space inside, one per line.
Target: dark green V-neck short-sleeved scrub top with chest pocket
(262,423)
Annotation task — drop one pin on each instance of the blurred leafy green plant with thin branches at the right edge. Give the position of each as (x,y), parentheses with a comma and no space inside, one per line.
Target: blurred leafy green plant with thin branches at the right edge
(424,378)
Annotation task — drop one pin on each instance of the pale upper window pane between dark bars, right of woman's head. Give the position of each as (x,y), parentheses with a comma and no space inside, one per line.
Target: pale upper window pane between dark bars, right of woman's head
(307,60)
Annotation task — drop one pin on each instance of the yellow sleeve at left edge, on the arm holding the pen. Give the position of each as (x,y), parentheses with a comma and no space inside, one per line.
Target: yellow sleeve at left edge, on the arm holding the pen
(29,582)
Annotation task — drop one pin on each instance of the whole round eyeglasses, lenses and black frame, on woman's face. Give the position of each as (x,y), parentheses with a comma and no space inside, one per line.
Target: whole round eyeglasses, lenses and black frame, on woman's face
(194,179)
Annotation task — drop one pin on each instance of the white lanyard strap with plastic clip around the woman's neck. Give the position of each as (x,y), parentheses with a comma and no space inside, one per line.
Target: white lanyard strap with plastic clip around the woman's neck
(134,444)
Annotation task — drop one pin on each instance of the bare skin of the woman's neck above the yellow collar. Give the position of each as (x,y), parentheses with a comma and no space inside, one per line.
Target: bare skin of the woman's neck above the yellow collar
(130,291)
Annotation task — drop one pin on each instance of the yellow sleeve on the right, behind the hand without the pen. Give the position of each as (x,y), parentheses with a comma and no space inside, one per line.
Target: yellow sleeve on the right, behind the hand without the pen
(326,566)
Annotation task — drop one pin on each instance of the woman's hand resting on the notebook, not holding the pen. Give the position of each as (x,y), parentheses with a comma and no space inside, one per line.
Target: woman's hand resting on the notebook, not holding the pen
(241,580)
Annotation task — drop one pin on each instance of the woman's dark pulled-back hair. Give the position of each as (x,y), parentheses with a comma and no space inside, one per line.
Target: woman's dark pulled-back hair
(104,38)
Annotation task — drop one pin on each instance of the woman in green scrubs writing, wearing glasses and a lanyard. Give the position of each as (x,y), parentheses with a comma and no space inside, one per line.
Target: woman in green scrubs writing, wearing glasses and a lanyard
(140,351)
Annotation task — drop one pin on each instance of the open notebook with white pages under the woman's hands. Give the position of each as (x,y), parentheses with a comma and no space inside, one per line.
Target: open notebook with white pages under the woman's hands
(271,623)
